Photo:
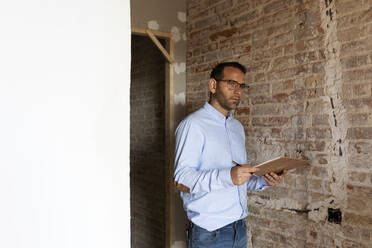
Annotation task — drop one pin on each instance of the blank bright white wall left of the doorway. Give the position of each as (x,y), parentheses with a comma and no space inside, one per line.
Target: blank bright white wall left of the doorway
(64,123)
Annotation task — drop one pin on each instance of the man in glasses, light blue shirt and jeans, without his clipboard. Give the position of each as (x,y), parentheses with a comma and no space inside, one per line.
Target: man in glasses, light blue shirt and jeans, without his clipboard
(210,165)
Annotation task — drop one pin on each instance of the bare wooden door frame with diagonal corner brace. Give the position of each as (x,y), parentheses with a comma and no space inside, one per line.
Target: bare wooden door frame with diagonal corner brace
(168,53)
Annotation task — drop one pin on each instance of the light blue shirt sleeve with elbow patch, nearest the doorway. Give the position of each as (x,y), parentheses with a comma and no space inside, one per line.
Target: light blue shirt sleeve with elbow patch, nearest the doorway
(188,151)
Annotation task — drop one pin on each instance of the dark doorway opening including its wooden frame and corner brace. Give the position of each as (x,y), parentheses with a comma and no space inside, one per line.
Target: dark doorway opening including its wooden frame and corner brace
(151,140)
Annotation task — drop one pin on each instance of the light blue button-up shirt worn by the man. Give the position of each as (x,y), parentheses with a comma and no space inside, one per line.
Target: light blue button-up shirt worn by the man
(206,144)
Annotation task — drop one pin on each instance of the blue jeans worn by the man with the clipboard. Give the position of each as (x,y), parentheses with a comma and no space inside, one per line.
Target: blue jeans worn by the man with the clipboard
(233,235)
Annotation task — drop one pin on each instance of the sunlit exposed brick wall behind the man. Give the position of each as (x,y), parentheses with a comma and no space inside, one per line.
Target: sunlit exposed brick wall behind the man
(309,69)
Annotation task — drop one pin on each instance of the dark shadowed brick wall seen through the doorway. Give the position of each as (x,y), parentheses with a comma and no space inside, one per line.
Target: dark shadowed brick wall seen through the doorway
(147,158)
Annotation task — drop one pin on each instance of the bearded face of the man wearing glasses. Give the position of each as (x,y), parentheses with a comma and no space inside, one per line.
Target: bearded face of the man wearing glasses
(228,97)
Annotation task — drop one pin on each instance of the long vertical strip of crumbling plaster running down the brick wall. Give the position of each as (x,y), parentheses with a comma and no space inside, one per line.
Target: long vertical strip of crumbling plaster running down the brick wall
(338,158)
